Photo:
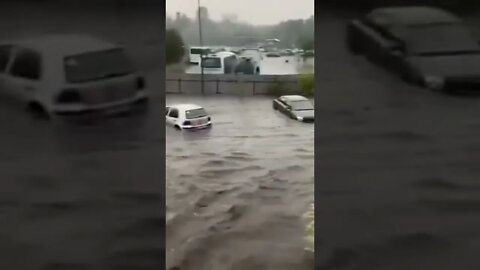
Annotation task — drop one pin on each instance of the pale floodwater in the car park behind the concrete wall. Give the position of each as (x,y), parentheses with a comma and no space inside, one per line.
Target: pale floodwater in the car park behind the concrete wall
(285,65)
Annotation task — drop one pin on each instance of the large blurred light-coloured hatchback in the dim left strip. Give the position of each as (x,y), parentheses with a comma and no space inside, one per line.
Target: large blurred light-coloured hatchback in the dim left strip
(70,74)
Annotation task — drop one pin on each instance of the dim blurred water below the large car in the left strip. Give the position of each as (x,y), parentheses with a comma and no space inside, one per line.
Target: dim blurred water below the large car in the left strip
(81,195)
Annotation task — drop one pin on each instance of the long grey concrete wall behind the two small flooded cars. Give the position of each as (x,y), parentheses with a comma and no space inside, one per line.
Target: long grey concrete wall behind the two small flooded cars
(230,84)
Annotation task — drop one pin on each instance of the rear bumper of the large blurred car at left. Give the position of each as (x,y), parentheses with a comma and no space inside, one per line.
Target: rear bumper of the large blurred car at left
(108,109)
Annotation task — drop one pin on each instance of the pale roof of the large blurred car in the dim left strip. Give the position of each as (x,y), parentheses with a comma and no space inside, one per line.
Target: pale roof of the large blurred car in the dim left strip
(64,44)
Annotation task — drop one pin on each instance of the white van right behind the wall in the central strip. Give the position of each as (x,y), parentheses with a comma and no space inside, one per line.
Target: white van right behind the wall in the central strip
(219,63)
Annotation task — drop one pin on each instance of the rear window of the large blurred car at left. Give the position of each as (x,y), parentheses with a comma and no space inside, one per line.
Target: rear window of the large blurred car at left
(97,65)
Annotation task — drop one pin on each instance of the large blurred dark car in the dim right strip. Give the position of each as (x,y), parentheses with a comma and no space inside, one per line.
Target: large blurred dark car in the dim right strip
(426,46)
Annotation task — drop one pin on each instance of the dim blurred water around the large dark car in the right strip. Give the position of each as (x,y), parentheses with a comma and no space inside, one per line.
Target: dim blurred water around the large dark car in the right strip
(398,179)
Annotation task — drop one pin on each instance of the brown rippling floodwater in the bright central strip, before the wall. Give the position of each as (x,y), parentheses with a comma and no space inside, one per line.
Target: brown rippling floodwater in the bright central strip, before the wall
(236,193)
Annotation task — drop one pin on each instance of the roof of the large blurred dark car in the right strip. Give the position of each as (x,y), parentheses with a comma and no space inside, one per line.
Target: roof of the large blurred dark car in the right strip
(413,15)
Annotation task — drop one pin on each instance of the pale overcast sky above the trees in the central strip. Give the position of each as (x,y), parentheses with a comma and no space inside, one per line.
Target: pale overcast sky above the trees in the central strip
(252,11)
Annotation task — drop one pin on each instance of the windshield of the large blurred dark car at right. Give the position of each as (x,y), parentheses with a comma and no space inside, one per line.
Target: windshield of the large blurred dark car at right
(438,39)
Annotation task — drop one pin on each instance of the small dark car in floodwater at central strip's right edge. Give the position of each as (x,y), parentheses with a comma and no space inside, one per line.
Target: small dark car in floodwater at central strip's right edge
(296,107)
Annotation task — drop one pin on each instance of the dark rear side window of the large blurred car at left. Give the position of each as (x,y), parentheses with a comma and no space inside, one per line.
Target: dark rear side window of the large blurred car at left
(27,65)
